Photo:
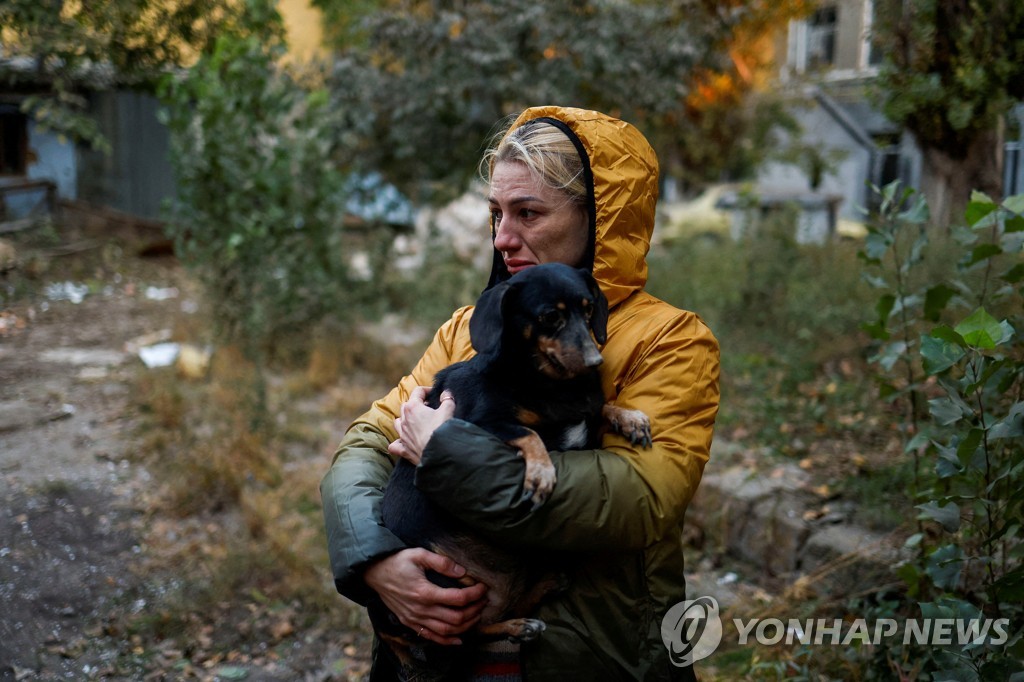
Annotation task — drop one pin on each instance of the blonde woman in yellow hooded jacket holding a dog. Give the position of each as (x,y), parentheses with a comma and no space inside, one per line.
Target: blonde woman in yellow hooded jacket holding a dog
(579,188)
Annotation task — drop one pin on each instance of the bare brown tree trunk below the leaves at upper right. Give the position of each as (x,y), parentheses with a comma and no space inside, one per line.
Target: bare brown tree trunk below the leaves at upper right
(948,182)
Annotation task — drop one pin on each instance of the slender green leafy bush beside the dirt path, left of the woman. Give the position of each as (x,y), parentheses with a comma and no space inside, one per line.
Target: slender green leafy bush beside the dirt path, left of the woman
(259,217)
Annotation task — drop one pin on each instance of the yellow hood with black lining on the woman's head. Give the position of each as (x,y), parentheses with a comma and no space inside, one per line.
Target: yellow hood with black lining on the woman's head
(622,178)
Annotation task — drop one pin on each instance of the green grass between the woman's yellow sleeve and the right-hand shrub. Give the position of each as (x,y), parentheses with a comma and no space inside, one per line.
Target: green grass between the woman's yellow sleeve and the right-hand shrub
(796,378)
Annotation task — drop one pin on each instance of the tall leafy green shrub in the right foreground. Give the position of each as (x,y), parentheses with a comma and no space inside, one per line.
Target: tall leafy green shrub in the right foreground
(952,353)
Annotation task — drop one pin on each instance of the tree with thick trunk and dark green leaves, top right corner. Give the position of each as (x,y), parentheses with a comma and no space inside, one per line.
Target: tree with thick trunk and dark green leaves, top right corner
(952,71)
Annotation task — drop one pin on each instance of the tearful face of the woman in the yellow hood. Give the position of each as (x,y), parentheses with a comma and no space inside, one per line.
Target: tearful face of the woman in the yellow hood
(534,224)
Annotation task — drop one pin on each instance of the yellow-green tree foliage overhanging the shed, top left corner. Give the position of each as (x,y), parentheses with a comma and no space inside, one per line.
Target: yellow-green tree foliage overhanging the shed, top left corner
(61,51)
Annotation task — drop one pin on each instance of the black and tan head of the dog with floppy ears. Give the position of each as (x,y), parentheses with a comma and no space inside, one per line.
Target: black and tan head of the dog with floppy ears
(547,312)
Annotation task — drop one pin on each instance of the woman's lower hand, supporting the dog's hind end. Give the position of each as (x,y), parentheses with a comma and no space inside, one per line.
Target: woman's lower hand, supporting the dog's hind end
(437,614)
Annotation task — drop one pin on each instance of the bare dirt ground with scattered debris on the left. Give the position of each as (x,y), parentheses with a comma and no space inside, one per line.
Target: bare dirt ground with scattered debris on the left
(76,553)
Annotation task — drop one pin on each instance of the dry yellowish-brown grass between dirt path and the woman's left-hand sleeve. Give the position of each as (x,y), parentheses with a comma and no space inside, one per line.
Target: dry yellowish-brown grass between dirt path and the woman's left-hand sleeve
(238,458)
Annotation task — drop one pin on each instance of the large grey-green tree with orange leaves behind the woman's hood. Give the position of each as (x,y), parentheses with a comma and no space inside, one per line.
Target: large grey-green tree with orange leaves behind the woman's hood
(423,82)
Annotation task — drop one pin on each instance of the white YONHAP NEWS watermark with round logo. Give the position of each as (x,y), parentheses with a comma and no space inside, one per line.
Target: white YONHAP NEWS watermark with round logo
(694,630)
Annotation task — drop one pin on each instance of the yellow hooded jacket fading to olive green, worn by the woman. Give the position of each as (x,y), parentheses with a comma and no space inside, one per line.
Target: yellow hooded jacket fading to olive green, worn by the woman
(620,508)
